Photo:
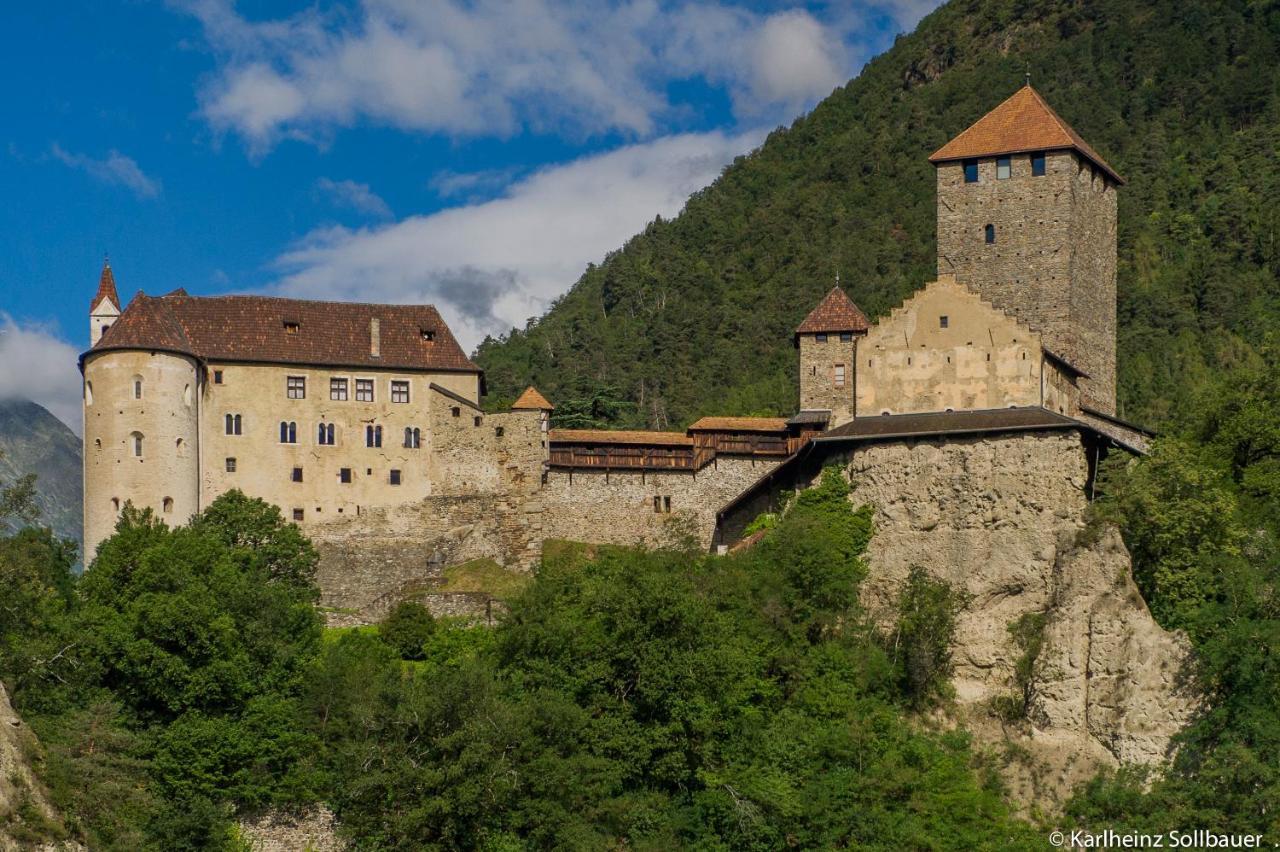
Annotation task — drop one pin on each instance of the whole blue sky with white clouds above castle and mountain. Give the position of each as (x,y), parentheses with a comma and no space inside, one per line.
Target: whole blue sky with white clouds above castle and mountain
(473,154)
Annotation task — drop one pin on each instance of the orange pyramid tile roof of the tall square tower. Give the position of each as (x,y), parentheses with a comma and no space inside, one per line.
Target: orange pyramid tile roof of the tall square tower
(1025,122)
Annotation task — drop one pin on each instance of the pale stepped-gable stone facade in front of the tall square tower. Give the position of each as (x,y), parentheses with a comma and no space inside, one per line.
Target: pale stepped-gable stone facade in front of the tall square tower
(947,350)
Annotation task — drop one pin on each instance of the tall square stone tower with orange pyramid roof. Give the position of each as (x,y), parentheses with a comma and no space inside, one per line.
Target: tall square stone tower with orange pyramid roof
(1027,219)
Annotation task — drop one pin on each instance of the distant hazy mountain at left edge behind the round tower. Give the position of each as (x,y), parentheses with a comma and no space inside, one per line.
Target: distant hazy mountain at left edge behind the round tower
(35,442)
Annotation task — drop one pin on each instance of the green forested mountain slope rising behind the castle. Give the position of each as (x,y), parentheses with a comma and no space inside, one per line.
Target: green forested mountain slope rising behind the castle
(694,315)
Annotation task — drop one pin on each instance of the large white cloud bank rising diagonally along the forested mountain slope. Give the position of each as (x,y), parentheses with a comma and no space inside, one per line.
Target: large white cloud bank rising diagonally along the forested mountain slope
(492,265)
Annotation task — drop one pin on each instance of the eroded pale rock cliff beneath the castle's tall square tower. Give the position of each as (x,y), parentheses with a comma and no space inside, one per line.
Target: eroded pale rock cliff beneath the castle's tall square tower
(1002,520)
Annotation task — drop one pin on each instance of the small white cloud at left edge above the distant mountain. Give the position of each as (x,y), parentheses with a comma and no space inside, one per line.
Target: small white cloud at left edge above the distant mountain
(38,365)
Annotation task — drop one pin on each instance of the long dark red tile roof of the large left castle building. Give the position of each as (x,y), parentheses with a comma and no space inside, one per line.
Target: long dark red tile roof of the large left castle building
(254,328)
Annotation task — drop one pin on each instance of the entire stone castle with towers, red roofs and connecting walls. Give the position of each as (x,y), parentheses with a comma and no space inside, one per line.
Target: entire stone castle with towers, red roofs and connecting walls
(363,423)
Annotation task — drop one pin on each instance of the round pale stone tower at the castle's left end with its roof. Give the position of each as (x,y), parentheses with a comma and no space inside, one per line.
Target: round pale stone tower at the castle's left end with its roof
(141,423)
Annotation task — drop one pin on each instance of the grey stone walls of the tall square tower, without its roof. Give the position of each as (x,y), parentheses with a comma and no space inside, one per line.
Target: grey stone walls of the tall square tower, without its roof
(1052,258)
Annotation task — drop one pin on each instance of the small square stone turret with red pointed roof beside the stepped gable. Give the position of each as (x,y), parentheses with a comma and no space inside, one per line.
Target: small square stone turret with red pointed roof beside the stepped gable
(829,354)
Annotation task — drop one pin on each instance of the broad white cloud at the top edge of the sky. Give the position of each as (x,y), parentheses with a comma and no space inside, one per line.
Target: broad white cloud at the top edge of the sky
(495,67)
